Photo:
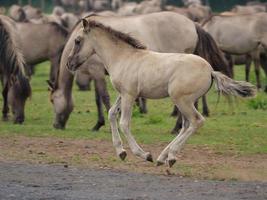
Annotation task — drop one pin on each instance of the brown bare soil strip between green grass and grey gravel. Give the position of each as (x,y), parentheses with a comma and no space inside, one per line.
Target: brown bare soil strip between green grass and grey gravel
(199,162)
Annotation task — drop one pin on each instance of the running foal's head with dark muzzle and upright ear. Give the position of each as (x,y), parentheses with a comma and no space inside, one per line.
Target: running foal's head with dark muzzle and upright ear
(82,49)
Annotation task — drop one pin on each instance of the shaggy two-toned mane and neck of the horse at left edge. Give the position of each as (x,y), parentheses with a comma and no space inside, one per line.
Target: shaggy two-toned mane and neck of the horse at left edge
(12,59)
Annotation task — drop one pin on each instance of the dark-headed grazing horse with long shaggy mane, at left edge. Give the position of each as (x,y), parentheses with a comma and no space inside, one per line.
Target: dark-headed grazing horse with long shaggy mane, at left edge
(16,87)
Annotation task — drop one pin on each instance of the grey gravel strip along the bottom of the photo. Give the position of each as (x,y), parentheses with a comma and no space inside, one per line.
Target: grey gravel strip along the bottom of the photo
(25,181)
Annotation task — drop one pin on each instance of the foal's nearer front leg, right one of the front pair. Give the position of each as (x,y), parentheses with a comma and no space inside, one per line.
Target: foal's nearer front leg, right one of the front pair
(127,103)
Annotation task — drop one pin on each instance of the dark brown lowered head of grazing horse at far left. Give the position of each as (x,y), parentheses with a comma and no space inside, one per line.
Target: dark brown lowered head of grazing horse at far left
(18,93)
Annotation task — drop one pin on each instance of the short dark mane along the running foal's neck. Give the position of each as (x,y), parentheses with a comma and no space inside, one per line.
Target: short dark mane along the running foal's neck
(122,36)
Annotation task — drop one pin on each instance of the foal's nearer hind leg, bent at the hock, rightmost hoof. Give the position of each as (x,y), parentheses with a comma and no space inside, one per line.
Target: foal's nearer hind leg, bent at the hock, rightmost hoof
(195,120)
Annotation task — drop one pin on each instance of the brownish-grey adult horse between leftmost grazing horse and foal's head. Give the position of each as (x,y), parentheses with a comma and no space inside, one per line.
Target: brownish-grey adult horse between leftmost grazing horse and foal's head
(41,42)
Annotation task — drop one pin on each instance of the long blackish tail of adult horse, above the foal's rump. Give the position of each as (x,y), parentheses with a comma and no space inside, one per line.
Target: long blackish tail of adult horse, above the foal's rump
(208,49)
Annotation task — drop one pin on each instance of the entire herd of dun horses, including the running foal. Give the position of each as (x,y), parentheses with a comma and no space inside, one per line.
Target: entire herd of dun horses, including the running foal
(147,56)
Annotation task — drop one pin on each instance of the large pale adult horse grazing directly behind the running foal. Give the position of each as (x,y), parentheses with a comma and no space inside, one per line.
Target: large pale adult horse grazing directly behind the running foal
(162,32)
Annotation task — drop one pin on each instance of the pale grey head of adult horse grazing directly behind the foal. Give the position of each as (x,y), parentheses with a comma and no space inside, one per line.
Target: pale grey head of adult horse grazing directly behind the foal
(62,107)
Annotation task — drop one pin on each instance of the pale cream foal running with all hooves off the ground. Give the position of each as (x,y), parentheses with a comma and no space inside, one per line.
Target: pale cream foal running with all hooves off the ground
(137,72)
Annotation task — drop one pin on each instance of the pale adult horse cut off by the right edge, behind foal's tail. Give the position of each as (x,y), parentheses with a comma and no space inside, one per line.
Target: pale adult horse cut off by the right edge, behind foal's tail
(240,34)
